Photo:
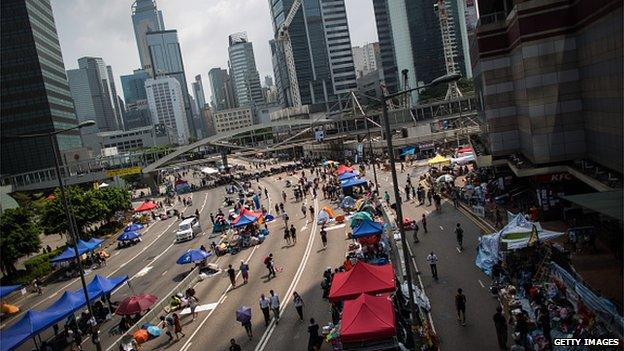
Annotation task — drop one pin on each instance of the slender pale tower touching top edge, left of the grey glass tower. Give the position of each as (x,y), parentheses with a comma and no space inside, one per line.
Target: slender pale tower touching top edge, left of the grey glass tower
(145,18)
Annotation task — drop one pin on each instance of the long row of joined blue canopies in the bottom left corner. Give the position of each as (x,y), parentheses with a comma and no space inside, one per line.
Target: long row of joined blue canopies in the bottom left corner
(34,322)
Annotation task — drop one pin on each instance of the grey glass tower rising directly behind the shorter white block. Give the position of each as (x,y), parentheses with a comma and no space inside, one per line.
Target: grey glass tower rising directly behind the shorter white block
(166,58)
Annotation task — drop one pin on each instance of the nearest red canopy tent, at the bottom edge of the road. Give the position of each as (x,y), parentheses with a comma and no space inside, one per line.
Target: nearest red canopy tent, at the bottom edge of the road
(367,318)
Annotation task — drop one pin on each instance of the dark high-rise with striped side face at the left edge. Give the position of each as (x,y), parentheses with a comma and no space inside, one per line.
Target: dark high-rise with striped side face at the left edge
(35,95)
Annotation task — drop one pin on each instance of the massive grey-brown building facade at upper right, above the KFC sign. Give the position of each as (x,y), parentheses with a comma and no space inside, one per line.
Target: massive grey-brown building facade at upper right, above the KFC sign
(552,92)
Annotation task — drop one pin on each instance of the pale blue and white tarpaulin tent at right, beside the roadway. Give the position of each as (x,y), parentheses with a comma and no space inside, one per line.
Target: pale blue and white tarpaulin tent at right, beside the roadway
(515,235)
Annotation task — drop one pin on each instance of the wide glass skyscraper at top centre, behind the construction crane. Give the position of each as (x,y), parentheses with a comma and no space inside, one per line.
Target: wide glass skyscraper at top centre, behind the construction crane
(319,35)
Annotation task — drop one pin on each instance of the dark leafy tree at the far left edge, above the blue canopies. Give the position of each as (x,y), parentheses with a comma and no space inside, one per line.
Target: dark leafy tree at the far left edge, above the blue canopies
(20,237)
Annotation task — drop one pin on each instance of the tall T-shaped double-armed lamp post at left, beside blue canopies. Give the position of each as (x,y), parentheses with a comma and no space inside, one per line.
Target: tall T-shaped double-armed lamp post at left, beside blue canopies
(66,206)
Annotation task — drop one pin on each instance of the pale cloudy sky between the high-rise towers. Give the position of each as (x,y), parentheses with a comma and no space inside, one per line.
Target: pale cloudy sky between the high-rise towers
(104,29)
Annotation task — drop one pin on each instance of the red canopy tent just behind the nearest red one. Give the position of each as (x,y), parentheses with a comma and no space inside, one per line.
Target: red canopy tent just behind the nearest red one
(363,278)
